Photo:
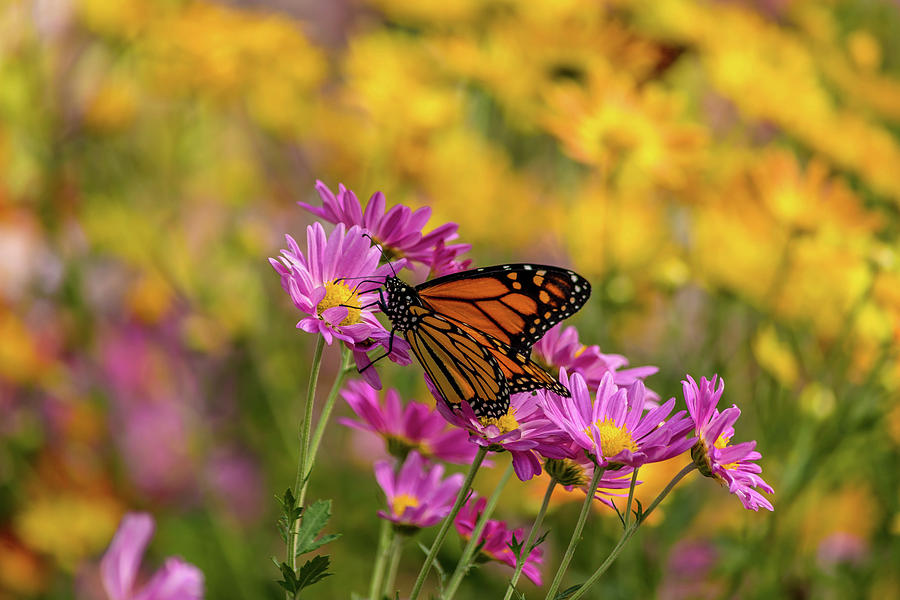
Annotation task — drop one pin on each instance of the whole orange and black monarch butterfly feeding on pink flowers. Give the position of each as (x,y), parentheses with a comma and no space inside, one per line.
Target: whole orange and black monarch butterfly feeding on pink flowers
(473,331)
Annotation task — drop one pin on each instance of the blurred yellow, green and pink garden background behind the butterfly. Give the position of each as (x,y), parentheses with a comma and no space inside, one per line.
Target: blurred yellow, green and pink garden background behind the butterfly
(726,173)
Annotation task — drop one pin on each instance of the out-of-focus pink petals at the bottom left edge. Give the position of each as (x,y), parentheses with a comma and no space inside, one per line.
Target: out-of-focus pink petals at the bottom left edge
(176,580)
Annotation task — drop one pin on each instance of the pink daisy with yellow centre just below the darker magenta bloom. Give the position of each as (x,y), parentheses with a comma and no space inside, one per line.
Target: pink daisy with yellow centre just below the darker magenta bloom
(416,495)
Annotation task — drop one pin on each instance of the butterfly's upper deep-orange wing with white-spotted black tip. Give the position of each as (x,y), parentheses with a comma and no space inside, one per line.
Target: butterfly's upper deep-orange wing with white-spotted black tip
(515,304)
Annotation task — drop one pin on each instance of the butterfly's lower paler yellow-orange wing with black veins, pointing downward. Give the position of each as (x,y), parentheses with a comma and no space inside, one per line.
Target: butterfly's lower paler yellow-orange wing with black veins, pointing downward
(461,367)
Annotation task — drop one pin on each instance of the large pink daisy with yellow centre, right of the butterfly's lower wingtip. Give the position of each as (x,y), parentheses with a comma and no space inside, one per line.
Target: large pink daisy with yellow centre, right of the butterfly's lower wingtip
(614,428)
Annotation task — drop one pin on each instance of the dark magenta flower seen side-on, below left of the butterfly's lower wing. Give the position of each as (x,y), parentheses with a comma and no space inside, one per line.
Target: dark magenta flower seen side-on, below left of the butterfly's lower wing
(413,427)
